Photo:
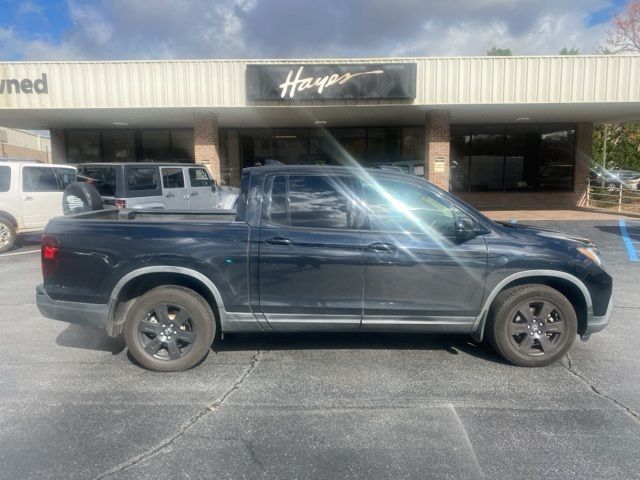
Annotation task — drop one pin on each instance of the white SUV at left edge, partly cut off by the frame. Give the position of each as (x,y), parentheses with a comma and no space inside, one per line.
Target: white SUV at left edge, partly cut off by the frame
(30,195)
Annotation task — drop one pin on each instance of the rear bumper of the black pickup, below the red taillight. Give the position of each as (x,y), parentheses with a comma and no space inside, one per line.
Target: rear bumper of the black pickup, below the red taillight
(92,314)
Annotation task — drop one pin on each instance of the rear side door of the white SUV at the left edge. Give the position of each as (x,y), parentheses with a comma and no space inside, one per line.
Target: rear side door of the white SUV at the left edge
(40,195)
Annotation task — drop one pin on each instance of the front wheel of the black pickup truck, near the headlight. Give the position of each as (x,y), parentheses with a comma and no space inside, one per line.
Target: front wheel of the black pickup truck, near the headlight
(518,332)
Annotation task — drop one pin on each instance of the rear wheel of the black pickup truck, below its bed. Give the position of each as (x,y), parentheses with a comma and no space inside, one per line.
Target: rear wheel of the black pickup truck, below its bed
(175,340)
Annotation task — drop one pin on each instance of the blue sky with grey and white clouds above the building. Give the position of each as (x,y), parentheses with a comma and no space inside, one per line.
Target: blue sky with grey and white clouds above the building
(177,29)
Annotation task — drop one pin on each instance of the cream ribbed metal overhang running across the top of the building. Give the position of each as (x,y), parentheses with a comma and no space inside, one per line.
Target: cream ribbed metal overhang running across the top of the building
(169,93)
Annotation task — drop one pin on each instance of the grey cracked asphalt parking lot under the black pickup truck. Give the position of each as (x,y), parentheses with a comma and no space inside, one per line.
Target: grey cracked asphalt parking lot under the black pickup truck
(320,406)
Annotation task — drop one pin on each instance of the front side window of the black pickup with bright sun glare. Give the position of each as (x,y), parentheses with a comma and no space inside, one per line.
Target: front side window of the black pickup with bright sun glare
(397,206)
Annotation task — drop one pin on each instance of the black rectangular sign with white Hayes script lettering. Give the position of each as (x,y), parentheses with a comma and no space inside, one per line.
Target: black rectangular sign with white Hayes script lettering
(313,82)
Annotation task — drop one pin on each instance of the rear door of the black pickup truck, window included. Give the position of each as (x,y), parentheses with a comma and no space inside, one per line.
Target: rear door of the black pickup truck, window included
(310,254)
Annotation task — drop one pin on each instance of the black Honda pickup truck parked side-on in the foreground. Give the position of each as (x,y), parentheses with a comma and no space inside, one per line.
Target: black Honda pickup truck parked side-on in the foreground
(322,249)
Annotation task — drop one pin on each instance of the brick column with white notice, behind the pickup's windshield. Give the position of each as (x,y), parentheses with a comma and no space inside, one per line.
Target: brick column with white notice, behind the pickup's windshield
(437,138)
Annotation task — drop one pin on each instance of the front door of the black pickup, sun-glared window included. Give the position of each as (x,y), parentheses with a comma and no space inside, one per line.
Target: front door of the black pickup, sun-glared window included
(416,270)
